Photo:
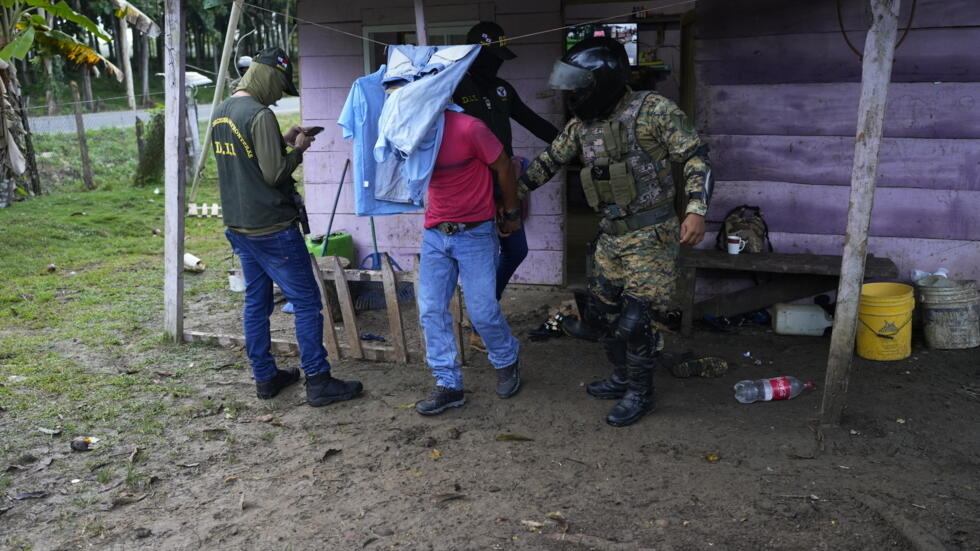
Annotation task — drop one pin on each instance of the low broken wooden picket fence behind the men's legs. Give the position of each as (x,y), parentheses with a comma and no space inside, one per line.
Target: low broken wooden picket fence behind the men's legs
(329,269)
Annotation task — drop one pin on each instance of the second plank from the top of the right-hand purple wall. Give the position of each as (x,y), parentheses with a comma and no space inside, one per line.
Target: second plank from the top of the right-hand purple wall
(927,55)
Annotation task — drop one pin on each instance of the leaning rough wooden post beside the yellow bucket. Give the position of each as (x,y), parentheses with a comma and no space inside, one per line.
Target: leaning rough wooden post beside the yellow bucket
(879,50)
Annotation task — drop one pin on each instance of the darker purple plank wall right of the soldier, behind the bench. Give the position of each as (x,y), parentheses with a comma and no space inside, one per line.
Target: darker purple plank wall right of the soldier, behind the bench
(777,101)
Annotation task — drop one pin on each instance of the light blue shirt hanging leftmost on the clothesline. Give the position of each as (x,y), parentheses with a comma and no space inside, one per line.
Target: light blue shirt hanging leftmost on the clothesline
(359,121)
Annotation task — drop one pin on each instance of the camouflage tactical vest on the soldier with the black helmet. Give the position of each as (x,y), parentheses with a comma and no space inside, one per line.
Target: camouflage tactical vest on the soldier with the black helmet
(620,179)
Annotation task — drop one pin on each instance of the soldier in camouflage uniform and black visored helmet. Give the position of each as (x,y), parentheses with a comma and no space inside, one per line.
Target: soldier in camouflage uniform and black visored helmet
(626,142)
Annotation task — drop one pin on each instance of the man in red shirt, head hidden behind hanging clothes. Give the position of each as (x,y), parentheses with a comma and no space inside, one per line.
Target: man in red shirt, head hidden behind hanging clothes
(460,242)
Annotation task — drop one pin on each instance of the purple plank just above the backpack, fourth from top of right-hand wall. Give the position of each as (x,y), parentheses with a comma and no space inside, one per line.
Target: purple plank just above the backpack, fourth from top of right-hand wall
(918,163)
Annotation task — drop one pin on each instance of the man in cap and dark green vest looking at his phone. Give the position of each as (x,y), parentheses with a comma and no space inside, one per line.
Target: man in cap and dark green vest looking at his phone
(261,214)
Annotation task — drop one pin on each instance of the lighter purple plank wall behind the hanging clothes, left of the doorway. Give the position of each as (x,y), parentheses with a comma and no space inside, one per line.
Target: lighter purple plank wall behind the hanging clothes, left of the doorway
(330,62)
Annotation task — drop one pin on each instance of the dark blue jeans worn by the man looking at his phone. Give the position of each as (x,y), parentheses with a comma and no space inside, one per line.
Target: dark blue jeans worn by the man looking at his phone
(282,258)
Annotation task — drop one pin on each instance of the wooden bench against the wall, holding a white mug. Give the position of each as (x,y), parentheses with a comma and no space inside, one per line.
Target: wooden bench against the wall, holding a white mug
(795,276)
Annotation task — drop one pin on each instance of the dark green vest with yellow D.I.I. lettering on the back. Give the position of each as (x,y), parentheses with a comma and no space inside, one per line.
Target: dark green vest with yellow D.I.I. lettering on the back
(247,201)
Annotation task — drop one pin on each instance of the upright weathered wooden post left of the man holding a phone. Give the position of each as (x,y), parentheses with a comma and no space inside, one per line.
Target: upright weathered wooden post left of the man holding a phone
(175,174)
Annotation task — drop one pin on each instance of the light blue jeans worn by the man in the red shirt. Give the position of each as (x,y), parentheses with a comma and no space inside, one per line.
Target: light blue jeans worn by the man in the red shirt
(466,257)
